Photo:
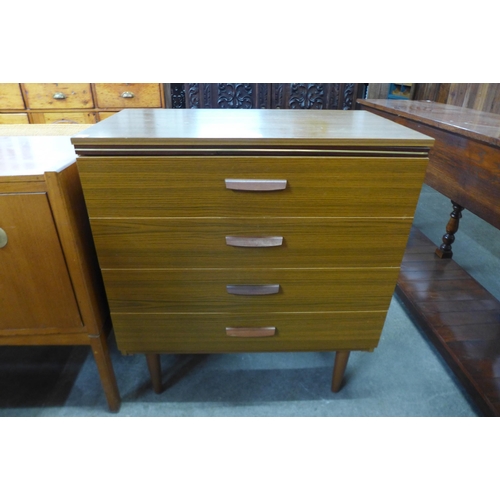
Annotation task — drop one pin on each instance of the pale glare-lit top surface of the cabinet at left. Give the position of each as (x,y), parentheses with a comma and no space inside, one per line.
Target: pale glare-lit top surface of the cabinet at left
(25,155)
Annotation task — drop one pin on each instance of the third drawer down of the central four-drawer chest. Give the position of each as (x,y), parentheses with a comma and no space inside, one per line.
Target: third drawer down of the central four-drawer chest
(249,290)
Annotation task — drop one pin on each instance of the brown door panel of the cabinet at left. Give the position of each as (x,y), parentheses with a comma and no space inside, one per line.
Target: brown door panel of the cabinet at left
(35,288)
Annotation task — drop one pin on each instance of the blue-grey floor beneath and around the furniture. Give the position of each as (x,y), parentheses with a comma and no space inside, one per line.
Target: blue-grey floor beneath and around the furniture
(403,377)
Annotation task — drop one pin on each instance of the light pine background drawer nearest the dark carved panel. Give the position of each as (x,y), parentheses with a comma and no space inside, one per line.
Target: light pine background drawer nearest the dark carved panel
(128,95)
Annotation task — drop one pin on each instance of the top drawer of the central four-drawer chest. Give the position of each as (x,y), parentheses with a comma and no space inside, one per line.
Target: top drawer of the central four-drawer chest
(196,186)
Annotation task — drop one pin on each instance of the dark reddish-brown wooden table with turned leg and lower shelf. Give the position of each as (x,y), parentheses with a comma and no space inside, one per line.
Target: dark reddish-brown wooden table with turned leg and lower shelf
(459,316)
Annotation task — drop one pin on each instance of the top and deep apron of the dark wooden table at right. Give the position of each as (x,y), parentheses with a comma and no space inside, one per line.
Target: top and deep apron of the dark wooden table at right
(463,164)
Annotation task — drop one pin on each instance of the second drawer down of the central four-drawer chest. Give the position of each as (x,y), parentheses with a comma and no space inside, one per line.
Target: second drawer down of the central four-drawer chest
(249,242)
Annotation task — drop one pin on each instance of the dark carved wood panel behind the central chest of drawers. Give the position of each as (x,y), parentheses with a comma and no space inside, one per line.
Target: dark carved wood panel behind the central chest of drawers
(266,95)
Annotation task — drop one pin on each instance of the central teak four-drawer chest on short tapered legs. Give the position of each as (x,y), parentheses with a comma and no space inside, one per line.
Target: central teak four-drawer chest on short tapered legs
(249,230)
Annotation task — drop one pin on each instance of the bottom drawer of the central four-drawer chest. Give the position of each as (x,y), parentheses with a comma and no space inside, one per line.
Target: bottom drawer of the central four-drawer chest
(206,333)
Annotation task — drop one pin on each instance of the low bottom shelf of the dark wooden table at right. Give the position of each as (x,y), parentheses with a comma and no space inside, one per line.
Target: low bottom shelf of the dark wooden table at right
(458,315)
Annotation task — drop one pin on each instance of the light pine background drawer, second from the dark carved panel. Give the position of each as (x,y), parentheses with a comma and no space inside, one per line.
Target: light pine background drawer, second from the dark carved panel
(58,95)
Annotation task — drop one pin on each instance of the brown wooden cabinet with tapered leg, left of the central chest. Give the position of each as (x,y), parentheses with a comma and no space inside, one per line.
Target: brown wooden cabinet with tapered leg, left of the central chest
(51,290)
